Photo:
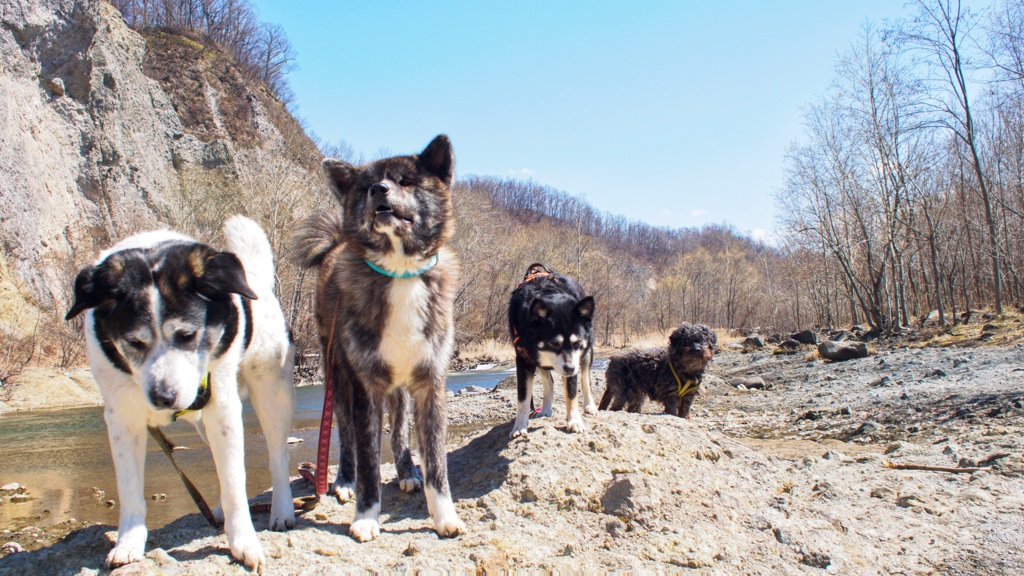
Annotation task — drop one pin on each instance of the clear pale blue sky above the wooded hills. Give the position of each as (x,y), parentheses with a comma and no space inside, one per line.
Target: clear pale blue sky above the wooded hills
(674,113)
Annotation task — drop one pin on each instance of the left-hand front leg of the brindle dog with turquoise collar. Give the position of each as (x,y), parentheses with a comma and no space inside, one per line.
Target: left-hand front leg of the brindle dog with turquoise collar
(368,417)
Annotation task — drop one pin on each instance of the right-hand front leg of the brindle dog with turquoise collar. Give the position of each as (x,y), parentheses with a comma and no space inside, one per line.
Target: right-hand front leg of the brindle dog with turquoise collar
(432,429)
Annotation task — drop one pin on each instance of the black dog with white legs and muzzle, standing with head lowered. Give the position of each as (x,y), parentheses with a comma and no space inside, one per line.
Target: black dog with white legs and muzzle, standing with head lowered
(551,322)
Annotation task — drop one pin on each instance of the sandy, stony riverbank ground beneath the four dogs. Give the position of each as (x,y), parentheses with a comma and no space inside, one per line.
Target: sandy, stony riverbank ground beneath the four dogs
(788,480)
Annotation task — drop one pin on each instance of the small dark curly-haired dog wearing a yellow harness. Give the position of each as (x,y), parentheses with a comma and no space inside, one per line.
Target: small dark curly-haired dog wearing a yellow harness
(671,376)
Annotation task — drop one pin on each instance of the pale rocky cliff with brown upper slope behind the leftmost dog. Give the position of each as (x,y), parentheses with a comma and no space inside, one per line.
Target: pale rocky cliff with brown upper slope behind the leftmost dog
(104,131)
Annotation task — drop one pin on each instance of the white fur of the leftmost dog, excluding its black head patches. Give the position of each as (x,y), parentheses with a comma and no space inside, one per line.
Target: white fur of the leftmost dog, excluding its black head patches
(266,369)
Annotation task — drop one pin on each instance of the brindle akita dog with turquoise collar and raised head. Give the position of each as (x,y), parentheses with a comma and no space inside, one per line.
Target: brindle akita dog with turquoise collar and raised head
(385,310)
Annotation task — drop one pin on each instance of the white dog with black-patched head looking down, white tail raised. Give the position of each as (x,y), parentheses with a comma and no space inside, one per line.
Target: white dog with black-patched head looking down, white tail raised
(174,325)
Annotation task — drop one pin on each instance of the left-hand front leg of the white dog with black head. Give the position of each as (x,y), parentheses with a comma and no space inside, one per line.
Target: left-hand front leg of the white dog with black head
(126,422)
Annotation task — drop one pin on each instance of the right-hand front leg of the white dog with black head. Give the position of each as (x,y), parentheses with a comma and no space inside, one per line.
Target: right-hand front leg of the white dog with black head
(224,422)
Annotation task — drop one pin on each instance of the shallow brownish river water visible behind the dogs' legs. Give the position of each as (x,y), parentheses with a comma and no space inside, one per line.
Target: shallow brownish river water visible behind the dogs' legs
(64,458)
